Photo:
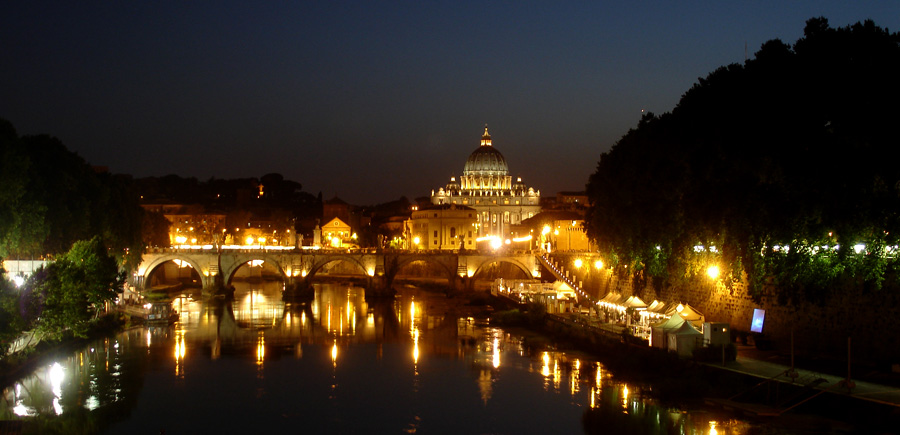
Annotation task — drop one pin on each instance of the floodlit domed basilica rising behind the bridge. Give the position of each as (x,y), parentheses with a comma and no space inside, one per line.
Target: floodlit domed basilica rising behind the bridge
(486,186)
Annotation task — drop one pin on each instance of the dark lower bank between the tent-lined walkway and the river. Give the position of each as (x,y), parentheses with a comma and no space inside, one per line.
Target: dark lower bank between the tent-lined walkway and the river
(687,381)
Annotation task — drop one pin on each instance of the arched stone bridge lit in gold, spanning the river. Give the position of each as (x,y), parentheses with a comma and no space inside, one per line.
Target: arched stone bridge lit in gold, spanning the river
(298,267)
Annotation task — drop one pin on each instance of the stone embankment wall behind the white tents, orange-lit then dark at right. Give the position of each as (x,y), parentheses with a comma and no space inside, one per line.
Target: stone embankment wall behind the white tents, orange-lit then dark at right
(869,318)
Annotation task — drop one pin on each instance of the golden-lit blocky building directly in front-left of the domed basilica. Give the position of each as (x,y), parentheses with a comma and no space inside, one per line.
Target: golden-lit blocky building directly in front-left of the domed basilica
(444,226)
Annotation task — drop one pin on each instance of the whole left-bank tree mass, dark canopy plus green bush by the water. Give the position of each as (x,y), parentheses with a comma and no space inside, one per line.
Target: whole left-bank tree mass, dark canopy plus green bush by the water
(53,205)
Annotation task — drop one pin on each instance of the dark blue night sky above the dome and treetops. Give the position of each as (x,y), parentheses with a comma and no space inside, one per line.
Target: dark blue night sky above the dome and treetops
(370,101)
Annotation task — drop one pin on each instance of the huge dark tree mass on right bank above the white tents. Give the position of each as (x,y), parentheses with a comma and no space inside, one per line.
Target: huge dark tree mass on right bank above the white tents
(782,170)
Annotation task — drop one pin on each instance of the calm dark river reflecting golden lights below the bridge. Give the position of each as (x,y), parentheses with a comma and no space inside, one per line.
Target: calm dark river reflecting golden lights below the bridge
(335,365)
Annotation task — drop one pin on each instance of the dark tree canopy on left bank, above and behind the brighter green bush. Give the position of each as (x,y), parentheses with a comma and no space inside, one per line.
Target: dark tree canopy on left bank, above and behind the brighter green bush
(52,197)
